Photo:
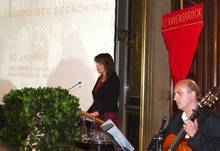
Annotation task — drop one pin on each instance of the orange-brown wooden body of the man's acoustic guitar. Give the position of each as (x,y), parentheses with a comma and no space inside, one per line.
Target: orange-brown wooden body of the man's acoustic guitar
(183,146)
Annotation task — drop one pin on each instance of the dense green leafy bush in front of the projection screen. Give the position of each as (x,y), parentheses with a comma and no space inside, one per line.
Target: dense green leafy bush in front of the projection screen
(46,119)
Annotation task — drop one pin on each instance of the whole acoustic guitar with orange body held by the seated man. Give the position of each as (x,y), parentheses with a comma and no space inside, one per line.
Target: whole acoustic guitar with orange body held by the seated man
(177,142)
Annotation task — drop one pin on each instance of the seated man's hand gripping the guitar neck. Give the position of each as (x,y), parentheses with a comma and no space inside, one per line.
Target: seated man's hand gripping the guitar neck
(190,127)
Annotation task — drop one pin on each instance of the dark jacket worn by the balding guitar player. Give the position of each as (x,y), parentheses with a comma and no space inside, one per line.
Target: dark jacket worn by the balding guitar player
(207,138)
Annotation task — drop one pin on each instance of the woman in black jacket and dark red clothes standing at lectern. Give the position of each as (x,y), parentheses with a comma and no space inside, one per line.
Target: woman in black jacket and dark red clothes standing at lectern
(106,90)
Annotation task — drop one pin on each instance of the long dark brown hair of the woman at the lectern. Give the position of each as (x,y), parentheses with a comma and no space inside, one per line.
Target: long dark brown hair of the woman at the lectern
(107,60)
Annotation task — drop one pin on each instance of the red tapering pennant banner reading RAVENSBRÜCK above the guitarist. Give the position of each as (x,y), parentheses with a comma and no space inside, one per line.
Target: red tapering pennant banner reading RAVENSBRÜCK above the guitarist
(181,31)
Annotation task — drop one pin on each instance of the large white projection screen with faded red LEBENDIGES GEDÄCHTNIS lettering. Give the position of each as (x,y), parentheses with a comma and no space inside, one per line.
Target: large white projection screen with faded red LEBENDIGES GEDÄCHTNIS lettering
(53,43)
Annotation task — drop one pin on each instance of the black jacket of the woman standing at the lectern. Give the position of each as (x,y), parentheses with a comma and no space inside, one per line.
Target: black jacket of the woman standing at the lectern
(105,99)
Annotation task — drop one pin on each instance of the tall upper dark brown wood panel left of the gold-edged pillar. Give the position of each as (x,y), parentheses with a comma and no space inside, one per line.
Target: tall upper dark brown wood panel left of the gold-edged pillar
(135,47)
